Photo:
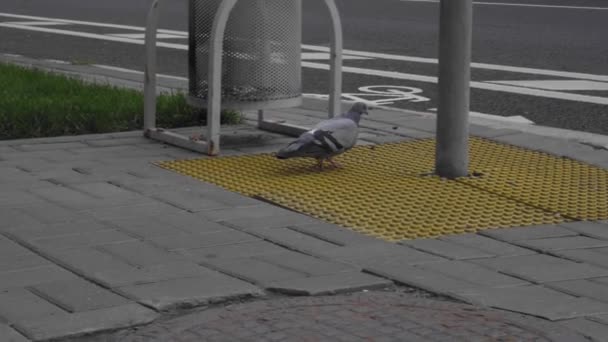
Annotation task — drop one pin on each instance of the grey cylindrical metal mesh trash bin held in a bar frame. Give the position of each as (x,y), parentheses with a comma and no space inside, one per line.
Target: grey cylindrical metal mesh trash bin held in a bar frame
(261,58)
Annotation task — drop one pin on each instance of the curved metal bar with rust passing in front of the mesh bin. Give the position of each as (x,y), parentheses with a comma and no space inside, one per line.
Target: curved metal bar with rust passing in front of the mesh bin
(214,83)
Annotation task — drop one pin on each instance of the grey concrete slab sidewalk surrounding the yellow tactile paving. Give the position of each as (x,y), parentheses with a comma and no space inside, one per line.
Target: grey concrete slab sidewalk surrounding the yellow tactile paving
(93,237)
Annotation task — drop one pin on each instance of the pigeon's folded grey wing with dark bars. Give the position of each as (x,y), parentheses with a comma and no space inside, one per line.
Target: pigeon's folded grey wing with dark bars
(328,138)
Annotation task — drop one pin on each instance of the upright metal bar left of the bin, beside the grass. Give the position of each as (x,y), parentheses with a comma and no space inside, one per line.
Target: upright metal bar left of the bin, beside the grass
(150,68)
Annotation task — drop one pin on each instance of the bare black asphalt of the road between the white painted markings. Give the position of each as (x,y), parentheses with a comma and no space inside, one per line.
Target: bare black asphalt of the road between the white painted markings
(560,39)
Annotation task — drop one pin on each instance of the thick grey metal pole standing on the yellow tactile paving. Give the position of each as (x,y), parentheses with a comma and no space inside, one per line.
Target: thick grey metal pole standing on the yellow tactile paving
(456,17)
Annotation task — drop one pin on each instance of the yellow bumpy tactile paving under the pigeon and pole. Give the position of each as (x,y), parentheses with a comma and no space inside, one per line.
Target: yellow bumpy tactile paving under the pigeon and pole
(386,191)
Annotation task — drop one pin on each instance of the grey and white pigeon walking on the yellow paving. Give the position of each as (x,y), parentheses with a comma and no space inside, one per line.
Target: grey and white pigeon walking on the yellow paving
(328,138)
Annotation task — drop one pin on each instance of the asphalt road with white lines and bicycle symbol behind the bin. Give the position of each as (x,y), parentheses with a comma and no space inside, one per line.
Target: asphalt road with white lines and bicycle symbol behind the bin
(539,60)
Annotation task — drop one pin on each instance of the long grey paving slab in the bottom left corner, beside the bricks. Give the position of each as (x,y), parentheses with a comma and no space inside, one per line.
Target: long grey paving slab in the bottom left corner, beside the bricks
(86,322)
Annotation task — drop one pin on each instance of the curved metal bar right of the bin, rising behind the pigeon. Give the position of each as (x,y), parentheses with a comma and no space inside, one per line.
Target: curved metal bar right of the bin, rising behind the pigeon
(335,82)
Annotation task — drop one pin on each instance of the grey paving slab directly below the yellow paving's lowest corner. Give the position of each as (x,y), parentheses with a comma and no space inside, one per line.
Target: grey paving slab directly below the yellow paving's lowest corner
(380,253)
